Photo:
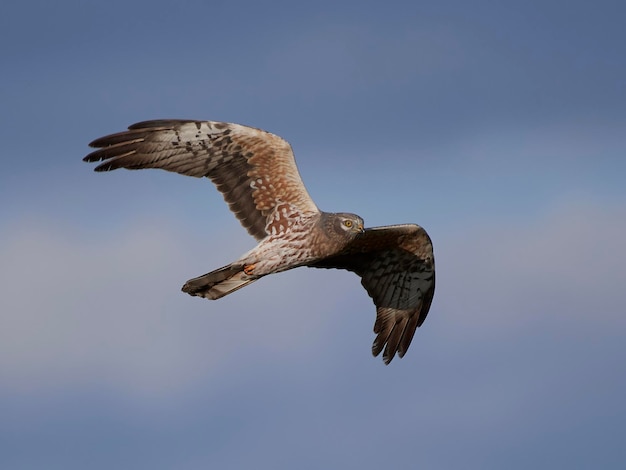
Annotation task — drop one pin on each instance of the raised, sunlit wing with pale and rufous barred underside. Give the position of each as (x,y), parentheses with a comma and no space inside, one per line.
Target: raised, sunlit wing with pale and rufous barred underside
(254,170)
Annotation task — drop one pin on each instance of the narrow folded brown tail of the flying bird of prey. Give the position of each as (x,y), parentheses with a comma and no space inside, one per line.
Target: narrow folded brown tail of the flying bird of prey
(219,283)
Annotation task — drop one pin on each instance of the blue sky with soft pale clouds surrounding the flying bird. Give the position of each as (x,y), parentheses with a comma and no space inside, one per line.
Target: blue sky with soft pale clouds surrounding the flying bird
(498,126)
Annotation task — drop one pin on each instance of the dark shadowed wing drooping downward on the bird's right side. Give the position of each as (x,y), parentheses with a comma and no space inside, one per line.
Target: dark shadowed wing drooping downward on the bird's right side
(397,268)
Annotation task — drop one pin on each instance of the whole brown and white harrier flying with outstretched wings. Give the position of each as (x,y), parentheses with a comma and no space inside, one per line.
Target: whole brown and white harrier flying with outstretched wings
(256,172)
